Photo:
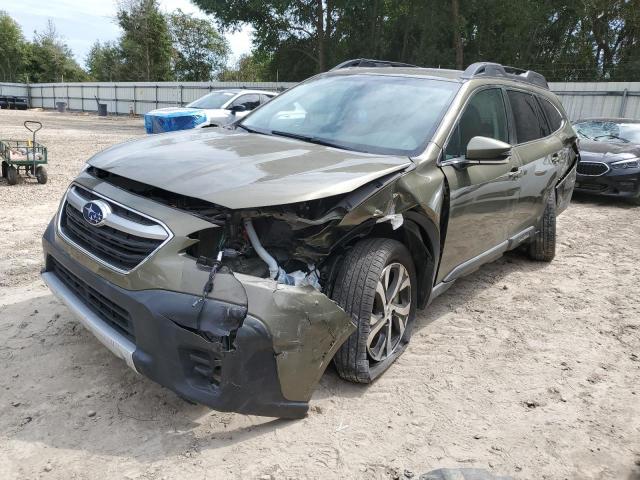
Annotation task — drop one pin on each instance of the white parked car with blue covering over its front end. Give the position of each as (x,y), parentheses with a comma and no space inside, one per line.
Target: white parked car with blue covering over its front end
(215,109)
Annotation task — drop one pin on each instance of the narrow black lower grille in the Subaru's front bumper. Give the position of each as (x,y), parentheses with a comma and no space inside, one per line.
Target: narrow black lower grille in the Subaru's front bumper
(113,314)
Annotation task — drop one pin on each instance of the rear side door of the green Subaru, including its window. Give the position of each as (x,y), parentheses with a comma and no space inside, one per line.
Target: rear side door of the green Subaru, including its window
(538,152)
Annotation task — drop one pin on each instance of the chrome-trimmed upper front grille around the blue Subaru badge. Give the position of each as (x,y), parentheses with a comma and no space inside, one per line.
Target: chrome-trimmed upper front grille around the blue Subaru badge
(120,249)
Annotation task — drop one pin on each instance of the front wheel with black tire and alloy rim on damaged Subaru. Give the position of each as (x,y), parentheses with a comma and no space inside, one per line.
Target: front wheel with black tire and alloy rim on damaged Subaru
(358,289)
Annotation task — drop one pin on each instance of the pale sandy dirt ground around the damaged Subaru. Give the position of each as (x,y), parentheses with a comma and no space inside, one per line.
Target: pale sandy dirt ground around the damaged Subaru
(524,369)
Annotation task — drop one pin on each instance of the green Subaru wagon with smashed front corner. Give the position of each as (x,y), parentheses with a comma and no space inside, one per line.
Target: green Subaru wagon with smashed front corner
(233,265)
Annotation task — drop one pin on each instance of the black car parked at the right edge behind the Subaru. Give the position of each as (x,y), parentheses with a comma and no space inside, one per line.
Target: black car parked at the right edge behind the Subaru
(609,157)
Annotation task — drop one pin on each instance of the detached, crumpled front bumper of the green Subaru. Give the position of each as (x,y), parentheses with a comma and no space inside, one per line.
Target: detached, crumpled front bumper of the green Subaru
(261,354)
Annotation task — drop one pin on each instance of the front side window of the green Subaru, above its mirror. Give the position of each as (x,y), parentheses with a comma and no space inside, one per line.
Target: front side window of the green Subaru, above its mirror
(484,116)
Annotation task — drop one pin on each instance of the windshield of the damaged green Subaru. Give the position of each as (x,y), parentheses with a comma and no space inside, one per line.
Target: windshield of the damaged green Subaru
(369,113)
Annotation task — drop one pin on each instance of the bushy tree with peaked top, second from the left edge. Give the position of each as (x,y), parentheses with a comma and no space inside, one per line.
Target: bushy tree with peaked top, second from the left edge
(49,59)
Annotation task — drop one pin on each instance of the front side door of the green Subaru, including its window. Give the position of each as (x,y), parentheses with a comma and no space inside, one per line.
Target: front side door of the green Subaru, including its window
(482,197)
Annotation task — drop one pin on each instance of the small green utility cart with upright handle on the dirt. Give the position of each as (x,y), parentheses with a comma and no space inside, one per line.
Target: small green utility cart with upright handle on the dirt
(27,155)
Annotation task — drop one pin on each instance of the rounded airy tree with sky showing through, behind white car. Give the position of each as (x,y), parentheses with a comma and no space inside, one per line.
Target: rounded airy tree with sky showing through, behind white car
(199,51)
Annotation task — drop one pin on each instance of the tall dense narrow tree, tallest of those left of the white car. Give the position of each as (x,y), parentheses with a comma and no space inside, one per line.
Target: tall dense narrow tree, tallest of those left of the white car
(145,42)
